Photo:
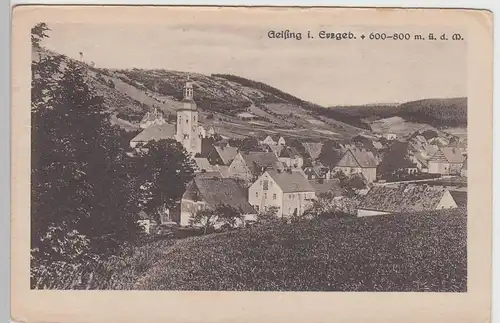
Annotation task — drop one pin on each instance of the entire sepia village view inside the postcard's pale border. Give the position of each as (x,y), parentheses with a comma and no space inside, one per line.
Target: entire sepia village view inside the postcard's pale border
(266,170)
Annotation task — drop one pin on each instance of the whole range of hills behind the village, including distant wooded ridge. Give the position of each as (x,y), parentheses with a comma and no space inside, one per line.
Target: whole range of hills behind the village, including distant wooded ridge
(130,93)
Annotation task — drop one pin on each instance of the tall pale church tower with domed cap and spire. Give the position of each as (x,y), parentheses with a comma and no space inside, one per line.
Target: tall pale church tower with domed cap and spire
(187,122)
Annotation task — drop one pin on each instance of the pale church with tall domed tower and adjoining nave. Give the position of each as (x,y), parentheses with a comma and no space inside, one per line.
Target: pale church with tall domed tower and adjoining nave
(186,130)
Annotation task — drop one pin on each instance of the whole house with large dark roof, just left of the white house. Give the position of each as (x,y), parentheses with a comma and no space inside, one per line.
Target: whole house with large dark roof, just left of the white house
(204,192)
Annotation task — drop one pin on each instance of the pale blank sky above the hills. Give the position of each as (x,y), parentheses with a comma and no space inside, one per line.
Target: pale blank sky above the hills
(325,72)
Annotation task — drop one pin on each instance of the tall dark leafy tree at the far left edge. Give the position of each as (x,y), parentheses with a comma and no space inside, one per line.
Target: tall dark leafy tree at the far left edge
(82,180)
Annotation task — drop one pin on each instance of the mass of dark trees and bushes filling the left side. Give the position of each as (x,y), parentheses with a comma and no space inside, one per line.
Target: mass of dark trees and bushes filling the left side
(87,191)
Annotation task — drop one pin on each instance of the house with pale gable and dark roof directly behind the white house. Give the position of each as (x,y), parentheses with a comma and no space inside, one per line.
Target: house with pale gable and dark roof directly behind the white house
(247,166)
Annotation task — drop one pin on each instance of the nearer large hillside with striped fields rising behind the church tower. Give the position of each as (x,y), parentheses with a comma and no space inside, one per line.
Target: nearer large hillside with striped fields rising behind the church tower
(130,93)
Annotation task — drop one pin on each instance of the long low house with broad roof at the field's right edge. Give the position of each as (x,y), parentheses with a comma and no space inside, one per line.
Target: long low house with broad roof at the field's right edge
(404,198)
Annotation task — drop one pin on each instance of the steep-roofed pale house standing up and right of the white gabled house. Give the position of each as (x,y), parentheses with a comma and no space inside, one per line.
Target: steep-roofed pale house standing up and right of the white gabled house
(358,161)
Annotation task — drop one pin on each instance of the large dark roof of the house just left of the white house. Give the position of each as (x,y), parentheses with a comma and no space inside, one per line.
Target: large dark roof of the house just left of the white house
(215,191)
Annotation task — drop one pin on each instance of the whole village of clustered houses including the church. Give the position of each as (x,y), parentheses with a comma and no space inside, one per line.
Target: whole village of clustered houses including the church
(277,175)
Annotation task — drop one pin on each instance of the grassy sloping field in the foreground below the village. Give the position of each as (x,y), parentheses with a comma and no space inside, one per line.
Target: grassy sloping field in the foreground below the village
(417,252)
